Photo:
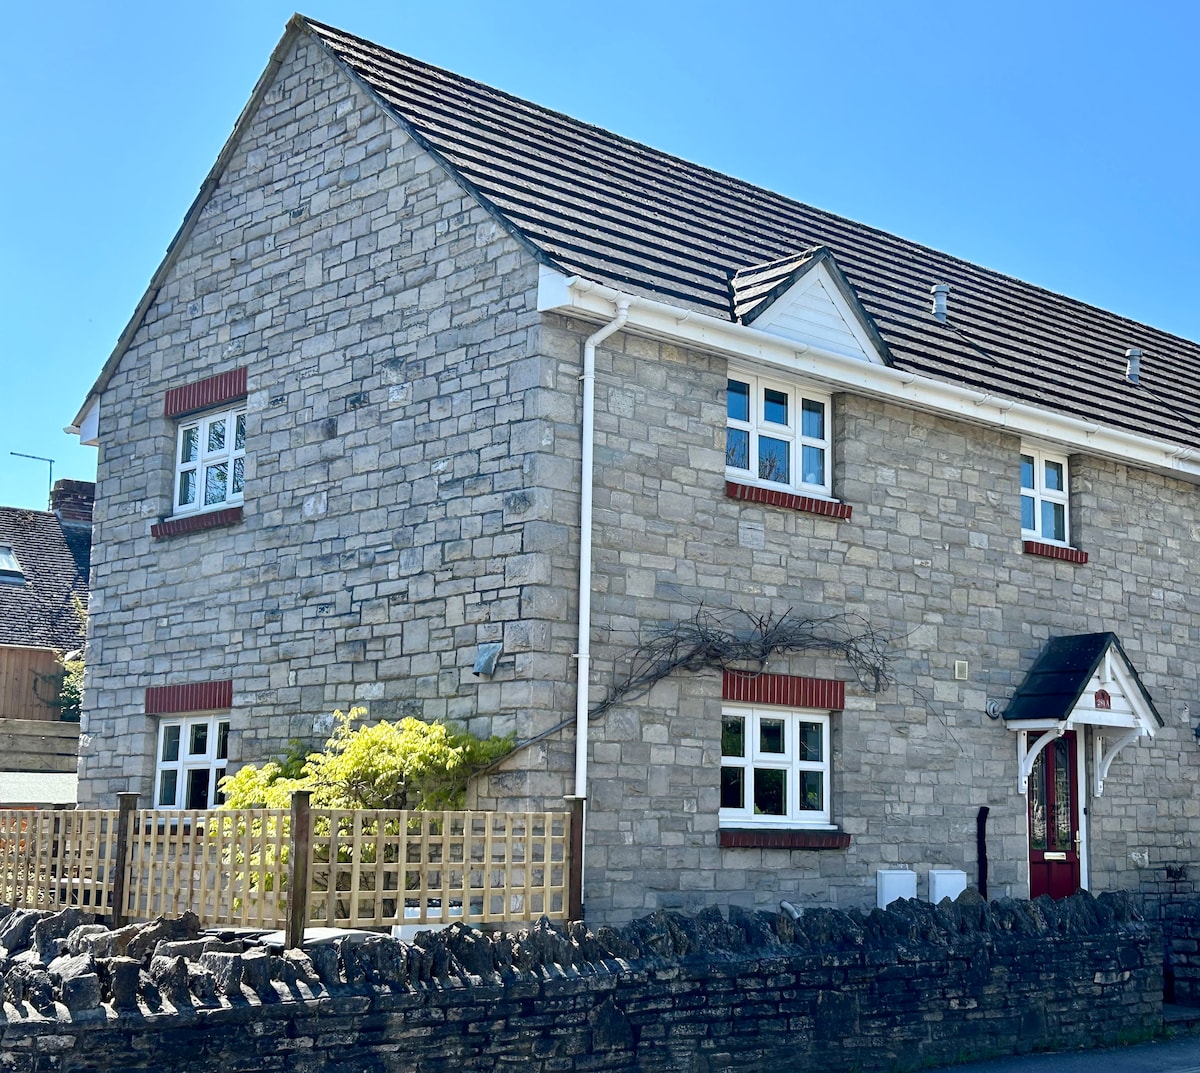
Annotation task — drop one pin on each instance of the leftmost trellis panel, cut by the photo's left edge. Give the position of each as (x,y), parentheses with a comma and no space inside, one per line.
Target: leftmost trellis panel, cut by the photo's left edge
(52,860)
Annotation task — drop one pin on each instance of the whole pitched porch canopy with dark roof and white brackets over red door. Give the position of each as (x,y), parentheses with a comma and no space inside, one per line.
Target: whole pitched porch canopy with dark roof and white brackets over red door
(1079,681)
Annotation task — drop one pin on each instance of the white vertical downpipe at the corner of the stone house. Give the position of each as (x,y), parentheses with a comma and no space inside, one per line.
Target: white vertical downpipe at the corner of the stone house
(584,657)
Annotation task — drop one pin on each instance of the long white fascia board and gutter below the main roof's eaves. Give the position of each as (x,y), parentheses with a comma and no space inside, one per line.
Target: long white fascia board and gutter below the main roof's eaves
(574,296)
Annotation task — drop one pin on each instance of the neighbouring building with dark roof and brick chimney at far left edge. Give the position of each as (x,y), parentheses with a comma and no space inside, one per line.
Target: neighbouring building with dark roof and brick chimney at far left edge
(44,595)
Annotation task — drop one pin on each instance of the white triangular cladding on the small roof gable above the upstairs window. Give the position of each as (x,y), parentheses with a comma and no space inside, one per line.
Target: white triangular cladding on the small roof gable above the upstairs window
(814,313)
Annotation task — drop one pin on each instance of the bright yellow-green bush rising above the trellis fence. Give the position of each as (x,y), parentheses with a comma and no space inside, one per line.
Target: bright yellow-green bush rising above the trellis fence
(407,765)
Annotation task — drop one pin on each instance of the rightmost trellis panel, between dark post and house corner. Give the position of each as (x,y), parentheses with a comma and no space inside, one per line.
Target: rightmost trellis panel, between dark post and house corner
(379,868)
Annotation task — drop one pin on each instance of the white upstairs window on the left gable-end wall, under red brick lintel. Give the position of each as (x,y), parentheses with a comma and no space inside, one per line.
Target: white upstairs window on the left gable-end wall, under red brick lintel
(211,460)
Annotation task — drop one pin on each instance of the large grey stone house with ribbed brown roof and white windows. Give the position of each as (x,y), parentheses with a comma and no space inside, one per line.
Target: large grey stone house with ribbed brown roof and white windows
(869,560)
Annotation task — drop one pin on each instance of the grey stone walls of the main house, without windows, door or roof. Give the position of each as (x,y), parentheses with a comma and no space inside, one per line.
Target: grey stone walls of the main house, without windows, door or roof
(412,491)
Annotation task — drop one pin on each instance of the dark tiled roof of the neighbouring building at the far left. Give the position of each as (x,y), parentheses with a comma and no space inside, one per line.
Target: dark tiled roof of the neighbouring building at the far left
(56,561)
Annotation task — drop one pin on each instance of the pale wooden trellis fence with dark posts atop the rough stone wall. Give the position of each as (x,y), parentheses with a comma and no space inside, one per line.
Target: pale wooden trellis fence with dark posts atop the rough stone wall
(242,867)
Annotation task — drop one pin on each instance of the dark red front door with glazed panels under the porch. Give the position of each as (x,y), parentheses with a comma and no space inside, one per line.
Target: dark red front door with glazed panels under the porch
(1054,820)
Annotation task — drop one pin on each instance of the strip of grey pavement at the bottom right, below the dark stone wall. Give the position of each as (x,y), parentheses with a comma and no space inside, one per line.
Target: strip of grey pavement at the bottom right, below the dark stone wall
(1179,1053)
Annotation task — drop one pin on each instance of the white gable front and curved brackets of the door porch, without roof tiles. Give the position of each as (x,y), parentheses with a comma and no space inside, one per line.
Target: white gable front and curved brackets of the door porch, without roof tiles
(1112,704)
